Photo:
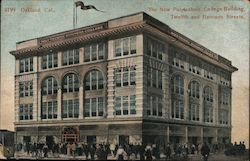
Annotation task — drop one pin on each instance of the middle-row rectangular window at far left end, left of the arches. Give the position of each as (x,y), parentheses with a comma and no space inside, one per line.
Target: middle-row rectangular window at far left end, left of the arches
(26,89)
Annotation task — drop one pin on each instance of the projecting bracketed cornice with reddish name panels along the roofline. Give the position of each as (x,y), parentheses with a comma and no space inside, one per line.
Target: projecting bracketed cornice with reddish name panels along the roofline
(101,31)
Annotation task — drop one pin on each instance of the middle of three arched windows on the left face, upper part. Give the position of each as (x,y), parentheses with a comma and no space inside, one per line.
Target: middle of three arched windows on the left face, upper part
(70,83)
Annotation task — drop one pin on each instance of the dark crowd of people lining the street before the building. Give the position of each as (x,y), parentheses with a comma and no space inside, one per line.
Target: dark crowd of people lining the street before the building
(125,151)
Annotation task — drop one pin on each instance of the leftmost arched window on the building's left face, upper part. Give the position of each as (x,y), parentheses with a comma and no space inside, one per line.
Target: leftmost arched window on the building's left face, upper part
(49,86)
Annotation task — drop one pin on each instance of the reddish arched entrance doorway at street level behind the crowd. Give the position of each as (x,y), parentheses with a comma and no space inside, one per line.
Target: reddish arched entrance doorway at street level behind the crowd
(70,134)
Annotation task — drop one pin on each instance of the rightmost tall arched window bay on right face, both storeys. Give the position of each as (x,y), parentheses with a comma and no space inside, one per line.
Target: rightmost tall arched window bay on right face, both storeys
(208,106)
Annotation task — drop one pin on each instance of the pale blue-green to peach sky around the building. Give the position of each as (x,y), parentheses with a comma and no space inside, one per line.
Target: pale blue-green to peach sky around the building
(221,26)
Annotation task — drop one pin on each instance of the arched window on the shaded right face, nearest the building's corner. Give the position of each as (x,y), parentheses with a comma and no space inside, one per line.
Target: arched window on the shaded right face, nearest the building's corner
(177,85)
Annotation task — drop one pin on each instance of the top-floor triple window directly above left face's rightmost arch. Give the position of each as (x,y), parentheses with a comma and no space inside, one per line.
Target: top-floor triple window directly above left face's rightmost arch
(94,52)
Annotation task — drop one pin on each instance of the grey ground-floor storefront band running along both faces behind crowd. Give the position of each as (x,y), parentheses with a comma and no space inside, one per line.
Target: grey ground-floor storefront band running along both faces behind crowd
(122,133)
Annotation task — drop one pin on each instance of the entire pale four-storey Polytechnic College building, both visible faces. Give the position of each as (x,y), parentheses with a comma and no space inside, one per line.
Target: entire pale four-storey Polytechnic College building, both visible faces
(131,79)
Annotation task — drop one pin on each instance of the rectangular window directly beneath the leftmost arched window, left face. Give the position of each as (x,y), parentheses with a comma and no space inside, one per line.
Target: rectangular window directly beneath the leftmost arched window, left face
(49,110)
